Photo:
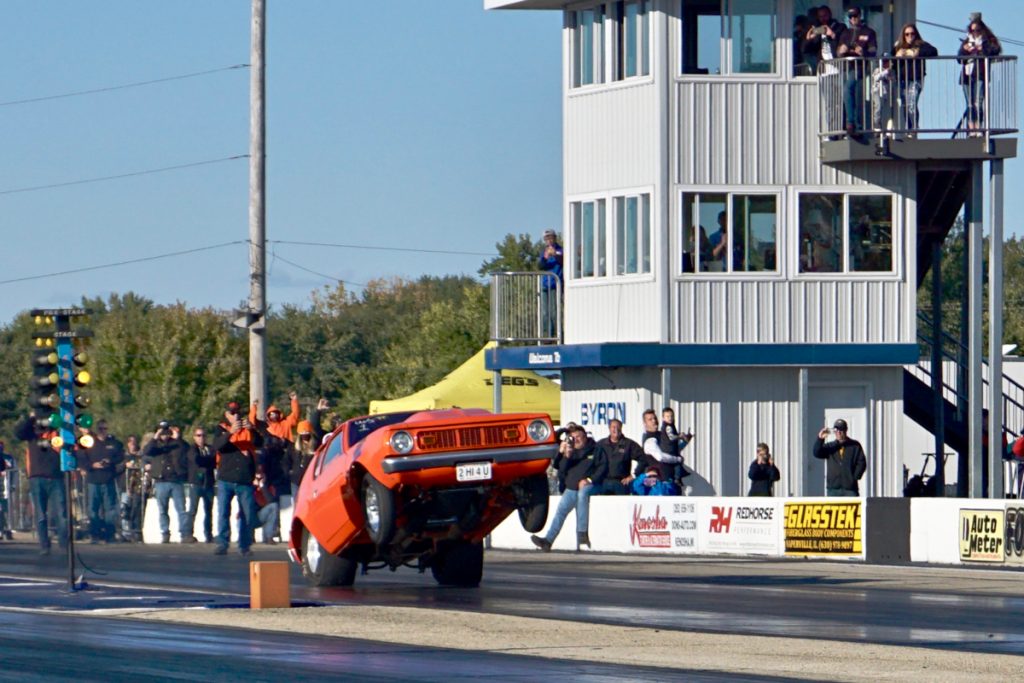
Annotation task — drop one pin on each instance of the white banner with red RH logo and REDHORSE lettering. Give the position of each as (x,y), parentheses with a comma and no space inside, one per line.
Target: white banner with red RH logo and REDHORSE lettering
(741,527)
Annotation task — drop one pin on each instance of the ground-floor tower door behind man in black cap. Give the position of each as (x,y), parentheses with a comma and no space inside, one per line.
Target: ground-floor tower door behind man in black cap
(829,404)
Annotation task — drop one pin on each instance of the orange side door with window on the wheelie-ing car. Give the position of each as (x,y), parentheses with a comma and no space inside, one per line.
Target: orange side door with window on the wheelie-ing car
(326,517)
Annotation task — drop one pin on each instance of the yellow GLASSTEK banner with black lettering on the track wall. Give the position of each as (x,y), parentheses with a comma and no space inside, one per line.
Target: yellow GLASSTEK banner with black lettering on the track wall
(824,529)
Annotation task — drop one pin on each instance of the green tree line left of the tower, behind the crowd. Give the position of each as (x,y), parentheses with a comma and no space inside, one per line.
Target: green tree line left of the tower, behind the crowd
(170,362)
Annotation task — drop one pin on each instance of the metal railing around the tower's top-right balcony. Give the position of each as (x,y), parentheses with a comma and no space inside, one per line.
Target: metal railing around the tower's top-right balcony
(907,98)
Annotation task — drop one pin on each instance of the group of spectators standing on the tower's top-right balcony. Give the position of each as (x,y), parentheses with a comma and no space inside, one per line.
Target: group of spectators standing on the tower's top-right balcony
(897,77)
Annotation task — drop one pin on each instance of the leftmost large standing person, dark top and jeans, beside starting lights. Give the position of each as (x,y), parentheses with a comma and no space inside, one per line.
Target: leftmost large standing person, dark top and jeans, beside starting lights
(46,482)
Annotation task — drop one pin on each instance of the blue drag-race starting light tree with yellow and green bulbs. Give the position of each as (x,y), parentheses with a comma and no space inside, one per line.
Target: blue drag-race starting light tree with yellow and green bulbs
(59,358)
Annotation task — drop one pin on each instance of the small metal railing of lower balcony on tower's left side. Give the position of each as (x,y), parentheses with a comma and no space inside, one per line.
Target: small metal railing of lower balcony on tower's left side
(526,308)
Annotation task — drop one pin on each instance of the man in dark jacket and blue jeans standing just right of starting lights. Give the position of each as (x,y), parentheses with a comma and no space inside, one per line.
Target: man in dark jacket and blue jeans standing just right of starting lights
(101,464)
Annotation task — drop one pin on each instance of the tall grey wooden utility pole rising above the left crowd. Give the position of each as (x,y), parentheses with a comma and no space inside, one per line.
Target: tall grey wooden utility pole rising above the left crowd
(258,212)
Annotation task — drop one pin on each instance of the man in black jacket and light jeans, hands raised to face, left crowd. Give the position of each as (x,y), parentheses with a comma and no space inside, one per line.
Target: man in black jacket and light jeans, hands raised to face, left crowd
(164,459)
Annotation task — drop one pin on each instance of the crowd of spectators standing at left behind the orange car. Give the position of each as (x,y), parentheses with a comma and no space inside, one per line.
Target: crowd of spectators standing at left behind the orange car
(244,459)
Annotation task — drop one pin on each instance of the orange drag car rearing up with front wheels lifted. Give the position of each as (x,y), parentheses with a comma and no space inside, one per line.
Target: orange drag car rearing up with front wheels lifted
(421,490)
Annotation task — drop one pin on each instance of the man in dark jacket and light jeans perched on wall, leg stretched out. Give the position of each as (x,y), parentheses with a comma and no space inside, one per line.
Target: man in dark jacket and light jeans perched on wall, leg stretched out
(578,466)
